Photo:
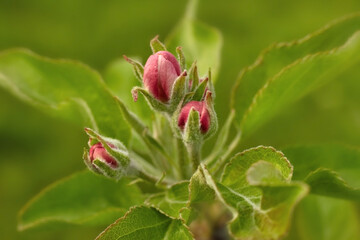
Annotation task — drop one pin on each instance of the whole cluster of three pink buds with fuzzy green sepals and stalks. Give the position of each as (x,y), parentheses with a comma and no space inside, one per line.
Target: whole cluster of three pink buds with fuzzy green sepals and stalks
(180,94)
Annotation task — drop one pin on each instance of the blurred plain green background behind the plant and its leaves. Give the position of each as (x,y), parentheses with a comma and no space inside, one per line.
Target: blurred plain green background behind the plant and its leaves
(36,149)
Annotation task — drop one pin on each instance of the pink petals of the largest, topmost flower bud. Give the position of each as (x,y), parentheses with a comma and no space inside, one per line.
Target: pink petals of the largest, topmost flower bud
(160,72)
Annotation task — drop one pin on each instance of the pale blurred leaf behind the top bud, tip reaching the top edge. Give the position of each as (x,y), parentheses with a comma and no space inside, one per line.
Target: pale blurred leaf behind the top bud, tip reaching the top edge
(199,42)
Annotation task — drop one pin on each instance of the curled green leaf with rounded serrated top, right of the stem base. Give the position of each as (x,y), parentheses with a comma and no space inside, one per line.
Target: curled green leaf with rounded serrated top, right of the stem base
(263,210)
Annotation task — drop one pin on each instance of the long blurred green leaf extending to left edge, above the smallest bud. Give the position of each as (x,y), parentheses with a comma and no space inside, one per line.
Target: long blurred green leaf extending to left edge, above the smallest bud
(66,88)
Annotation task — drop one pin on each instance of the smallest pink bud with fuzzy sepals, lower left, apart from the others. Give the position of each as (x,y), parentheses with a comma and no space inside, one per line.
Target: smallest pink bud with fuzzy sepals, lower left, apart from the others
(106,156)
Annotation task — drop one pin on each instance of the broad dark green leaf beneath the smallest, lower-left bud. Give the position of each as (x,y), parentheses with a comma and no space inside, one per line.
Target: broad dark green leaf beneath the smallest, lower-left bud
(81,199)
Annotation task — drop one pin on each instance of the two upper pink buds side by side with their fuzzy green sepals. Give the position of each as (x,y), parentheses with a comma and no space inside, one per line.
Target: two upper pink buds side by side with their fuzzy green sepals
(186,98)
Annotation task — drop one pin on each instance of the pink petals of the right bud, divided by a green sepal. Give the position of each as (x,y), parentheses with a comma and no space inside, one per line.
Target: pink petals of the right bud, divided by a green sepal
(204,115)
